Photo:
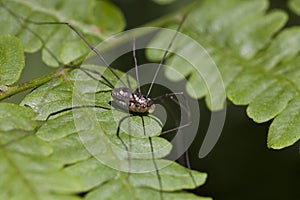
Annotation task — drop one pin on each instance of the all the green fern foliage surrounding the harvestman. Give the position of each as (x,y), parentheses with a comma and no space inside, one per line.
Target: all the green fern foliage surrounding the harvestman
(256,56)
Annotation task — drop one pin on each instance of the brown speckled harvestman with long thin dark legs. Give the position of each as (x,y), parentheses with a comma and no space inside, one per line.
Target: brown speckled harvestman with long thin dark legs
(124,97)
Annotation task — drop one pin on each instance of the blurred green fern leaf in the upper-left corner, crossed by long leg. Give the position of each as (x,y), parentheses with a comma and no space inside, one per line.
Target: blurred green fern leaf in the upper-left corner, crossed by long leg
(56,40)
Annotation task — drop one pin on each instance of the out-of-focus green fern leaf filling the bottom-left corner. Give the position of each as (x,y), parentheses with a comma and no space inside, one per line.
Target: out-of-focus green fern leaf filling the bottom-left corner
(27,171)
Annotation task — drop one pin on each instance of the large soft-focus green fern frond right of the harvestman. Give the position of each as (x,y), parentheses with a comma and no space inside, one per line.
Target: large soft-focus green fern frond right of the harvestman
(257,61)
